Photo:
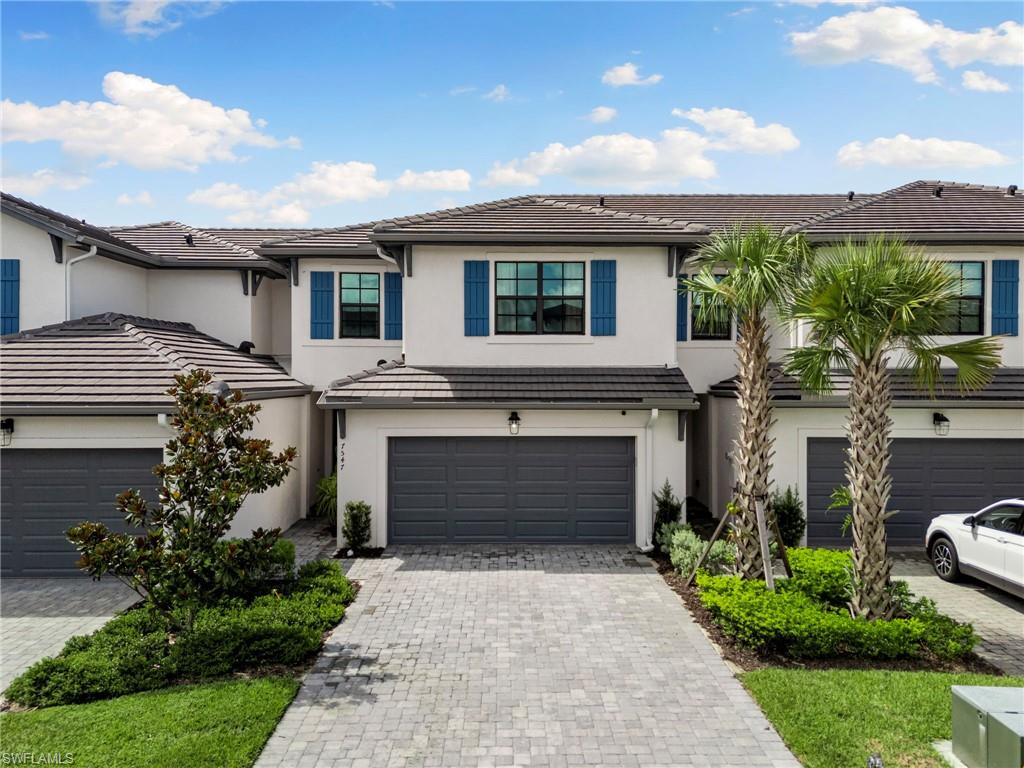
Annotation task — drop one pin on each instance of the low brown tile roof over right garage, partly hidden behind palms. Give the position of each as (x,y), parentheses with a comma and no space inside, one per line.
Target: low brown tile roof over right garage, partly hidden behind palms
(1007,386)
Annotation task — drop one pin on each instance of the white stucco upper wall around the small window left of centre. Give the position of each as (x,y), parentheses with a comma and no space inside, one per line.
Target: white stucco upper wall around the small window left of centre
(319,362)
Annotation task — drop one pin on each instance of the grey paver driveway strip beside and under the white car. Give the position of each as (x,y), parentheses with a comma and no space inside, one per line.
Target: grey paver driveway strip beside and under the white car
(998,617)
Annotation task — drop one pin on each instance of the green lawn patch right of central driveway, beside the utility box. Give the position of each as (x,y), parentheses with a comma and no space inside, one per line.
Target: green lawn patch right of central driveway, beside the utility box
(838,718)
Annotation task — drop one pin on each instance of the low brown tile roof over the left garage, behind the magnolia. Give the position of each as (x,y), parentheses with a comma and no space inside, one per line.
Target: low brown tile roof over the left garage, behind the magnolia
(119,363)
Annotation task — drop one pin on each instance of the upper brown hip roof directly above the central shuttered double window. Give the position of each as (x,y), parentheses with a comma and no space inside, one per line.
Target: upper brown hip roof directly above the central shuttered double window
(536,220)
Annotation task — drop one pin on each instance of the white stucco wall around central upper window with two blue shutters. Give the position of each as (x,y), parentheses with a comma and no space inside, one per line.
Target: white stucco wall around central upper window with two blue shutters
(436,314)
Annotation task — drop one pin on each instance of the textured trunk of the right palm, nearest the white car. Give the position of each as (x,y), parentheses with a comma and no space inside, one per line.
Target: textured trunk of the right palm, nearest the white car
(871,486)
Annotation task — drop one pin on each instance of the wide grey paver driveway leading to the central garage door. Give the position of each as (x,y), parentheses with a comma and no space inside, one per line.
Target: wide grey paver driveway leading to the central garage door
(544,657)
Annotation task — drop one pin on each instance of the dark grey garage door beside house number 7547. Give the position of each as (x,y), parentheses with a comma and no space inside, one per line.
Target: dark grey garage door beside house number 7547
(570,490)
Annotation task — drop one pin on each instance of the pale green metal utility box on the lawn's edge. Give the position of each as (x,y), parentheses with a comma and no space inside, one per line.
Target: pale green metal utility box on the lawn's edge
(974,707)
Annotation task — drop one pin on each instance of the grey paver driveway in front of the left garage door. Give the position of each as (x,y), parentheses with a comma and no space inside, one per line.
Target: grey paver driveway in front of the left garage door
(39,616)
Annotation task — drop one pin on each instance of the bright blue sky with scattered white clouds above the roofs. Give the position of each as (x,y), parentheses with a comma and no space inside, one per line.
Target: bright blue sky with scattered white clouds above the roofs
(133,112)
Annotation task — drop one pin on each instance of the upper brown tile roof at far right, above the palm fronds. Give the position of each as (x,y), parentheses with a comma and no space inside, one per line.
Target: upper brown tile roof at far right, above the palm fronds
(927,210)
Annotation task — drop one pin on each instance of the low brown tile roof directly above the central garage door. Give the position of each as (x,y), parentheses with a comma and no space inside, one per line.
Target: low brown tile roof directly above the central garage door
(396,386)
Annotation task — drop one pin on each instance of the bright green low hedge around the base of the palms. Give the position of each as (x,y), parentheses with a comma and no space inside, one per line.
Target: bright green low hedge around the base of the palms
(792,624)
